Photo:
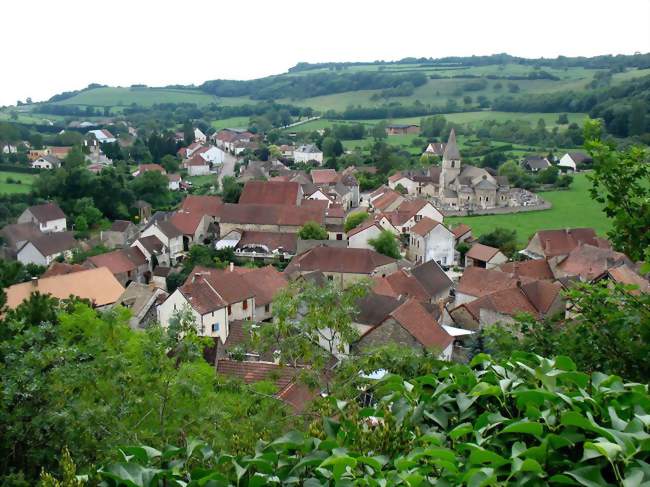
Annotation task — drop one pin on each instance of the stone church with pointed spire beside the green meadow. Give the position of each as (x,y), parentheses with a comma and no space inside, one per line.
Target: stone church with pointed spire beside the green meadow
(454,184)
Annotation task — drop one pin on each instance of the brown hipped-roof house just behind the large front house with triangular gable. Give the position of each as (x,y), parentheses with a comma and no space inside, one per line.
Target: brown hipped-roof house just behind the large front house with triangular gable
(426,282)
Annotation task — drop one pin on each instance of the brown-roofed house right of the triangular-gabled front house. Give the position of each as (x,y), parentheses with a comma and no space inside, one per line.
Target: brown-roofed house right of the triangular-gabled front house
(536,298)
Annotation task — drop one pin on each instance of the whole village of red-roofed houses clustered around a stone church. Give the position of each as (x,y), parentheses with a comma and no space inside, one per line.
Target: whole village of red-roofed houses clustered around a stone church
(431,285)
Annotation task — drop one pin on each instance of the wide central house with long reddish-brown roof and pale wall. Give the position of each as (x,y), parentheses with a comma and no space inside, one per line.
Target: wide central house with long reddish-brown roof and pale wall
(342,265)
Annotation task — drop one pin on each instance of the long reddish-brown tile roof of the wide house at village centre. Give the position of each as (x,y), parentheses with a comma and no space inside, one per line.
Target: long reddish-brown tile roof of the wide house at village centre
(333,259)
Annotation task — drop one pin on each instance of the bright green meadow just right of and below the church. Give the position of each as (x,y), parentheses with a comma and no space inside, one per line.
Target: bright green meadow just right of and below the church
(572,208)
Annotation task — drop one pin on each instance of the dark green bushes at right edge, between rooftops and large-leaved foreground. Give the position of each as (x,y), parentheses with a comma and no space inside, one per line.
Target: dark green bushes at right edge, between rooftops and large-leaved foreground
(620,347)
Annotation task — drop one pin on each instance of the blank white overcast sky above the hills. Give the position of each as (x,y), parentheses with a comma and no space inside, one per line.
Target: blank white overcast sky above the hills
(50,46)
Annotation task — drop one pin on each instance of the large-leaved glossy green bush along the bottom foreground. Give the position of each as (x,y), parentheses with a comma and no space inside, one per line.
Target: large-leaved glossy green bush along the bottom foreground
(527,421)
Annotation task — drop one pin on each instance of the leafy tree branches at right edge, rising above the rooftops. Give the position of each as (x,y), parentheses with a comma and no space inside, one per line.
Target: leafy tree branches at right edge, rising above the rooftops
(621,183)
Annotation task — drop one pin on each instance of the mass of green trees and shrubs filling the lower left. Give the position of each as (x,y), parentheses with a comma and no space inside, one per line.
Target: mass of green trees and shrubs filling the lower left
(75,377)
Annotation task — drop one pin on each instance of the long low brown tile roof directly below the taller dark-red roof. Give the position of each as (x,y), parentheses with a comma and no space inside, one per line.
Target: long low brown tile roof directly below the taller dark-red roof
(270,214)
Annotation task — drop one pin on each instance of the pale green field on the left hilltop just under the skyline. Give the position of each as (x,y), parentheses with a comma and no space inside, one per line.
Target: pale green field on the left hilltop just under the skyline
(102,97)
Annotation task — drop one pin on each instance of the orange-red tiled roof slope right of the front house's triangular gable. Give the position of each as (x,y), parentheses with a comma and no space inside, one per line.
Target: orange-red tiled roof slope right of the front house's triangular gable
(419,323)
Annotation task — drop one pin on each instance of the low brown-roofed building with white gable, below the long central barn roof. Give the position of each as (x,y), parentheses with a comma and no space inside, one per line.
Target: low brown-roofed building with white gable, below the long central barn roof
(265,246)
